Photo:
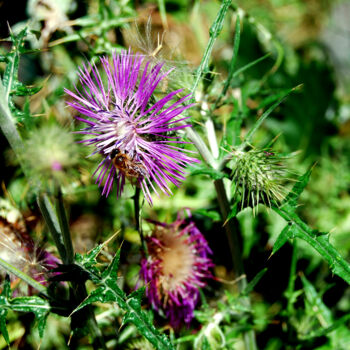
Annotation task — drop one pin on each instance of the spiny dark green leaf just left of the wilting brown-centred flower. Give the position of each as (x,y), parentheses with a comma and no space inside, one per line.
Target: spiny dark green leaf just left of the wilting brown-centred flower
(109,291)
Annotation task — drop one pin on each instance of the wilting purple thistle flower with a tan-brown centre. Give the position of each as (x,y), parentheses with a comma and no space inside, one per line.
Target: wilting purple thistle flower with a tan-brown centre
(177,266)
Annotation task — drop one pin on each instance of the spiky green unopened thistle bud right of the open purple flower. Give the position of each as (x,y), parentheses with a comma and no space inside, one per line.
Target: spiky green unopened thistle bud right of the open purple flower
(258,177)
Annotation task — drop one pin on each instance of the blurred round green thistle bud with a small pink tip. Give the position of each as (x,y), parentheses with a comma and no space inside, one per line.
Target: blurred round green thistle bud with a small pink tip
(51,152)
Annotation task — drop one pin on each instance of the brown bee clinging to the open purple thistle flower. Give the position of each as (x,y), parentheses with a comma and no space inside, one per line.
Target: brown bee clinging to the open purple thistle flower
(131,168)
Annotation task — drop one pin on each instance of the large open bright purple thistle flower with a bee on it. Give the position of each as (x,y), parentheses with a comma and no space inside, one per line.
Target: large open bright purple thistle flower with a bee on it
(133,133)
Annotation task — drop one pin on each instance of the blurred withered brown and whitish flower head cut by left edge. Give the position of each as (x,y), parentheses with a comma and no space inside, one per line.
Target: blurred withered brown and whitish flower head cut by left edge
(17,247)
